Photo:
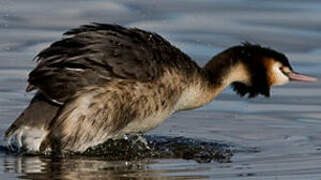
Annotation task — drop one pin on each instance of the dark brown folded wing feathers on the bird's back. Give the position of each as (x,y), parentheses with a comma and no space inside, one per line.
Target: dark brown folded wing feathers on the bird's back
(98,53)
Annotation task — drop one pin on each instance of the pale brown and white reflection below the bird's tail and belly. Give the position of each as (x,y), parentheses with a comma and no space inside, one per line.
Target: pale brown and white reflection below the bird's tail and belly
(38,167)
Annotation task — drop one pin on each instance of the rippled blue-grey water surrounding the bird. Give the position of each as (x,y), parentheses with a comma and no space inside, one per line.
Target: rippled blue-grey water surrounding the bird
(284,130)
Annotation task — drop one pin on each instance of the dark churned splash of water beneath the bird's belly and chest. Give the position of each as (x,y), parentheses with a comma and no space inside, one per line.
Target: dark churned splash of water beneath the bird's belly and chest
(141,147)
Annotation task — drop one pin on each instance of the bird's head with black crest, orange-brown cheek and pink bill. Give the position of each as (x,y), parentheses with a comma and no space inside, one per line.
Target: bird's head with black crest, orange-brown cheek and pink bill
(264,68)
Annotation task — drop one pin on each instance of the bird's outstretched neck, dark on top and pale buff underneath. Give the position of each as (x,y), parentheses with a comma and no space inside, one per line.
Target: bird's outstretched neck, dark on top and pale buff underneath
(216,75)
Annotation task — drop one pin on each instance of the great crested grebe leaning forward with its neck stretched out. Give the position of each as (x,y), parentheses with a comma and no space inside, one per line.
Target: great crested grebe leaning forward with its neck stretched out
(105,81)
